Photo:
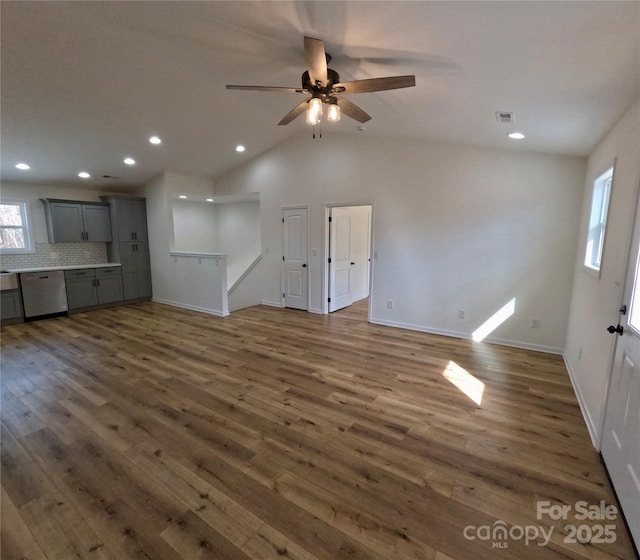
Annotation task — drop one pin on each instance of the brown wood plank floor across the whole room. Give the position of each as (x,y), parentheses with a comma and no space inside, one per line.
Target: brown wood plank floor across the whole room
(147,431)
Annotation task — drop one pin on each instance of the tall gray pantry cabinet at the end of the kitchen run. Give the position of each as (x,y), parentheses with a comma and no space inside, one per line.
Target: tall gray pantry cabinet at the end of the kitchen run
(130,244)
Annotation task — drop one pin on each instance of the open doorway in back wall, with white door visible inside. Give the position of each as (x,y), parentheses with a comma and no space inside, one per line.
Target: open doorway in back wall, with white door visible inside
(347,266)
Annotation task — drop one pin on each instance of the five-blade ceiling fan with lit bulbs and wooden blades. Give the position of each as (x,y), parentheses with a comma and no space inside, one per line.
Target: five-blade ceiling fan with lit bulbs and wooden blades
(325,88)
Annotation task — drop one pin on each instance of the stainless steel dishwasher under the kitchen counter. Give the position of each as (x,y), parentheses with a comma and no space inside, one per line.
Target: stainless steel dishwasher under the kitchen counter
(43,293)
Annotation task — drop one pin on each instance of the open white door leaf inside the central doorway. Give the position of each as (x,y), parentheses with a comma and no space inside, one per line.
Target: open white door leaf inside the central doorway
(340,261)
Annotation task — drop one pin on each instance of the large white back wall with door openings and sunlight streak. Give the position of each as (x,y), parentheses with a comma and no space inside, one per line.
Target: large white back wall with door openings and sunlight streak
(454,227)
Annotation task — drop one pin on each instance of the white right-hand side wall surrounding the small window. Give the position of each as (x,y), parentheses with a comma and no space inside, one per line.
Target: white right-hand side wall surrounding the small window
(595,301)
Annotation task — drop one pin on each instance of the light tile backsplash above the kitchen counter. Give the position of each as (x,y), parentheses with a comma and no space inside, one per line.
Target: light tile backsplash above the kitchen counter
(59,254)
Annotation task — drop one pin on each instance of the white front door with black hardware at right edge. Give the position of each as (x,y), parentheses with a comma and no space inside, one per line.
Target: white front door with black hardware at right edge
(620,445)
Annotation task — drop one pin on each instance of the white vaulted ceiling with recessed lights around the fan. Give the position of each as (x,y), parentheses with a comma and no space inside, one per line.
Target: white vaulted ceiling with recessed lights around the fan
(84,84)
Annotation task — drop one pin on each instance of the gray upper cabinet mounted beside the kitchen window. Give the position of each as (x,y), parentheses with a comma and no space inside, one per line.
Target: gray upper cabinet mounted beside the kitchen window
(69,221)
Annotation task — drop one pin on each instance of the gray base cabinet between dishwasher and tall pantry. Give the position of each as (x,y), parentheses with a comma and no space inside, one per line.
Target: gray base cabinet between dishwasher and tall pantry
(89,287)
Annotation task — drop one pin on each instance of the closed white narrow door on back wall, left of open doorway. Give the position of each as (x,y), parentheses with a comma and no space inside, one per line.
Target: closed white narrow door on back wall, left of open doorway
(296,275)
